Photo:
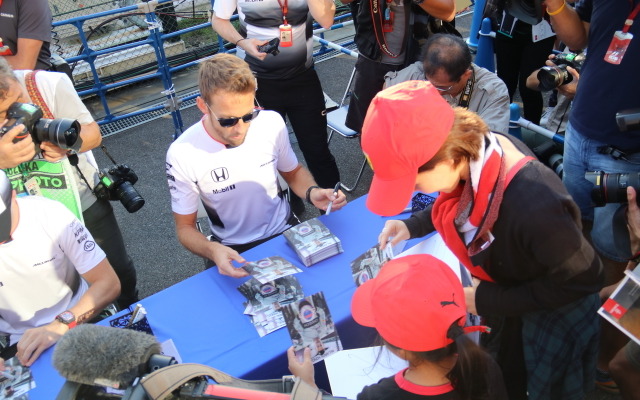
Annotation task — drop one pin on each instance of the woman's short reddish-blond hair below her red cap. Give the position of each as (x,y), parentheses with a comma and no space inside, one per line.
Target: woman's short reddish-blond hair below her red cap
(464,140)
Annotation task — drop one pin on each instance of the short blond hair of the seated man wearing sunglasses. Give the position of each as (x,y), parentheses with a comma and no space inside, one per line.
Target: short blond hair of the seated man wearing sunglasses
(225,72)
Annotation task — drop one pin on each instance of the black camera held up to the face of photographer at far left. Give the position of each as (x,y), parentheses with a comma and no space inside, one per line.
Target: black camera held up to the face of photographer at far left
(63,132)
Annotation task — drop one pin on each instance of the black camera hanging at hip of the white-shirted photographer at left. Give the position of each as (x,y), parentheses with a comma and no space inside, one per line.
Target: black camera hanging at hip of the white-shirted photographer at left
(116,183)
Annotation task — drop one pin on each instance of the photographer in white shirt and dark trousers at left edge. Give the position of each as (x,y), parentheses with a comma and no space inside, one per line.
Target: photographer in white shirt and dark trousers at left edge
(57,94)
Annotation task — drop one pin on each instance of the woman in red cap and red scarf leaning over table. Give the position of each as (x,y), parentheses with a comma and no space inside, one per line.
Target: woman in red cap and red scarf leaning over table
(508,219)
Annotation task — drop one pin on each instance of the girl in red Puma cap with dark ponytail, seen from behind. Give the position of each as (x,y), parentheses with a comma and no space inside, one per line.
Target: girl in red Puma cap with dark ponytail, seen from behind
(416,303)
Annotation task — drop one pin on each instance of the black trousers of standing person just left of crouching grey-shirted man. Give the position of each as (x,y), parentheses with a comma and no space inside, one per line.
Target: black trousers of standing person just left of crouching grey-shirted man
(367,82)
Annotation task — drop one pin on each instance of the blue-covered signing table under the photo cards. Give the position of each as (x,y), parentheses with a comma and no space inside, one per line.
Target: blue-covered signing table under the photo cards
(204,313)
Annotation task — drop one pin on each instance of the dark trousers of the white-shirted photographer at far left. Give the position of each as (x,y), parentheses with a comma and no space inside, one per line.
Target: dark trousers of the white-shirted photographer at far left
(102,224)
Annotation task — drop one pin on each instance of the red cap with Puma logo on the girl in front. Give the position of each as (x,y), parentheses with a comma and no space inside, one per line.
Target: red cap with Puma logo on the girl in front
(412,303)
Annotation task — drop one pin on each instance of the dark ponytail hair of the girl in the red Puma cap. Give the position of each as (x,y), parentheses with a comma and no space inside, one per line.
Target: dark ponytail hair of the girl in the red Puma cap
(469,375)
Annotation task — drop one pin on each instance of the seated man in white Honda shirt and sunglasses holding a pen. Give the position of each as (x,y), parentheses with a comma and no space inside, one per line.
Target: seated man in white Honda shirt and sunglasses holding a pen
(230,161)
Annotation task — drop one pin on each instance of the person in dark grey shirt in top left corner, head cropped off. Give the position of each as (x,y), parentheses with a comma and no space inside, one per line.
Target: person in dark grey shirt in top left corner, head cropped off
(25,33)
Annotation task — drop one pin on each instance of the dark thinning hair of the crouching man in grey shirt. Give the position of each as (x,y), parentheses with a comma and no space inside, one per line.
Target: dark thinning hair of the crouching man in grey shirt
(448,52)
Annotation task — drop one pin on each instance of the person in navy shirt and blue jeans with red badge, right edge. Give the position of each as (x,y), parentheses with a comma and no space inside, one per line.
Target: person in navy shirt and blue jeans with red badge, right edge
(608,84)
